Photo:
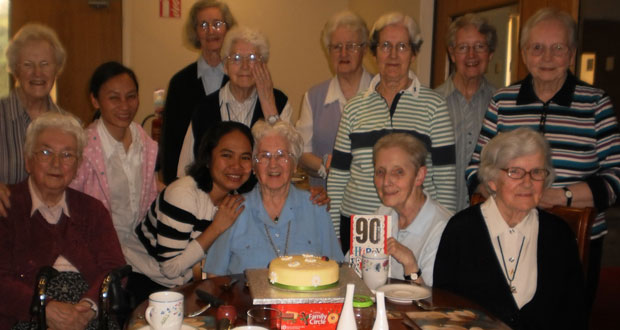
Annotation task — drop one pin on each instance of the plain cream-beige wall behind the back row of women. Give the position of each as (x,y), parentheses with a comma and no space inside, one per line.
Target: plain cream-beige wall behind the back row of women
(154,46)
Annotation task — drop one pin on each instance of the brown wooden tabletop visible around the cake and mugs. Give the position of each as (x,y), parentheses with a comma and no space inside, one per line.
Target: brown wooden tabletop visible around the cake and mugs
(239,296)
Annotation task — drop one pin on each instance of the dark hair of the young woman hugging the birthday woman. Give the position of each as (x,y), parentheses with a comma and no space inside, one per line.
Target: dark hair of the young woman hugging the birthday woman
(199,170)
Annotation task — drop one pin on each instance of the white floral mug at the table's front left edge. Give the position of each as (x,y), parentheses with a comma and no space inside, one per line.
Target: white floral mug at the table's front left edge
(165,311)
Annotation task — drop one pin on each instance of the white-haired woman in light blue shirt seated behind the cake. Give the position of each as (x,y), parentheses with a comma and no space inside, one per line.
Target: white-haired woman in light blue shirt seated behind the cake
(278,218)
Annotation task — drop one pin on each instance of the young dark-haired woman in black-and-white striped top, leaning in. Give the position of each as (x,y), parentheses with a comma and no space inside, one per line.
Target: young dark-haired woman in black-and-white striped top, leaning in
(194,210)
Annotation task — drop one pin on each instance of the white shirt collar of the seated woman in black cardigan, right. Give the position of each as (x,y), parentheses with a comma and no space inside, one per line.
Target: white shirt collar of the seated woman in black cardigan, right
(497,225)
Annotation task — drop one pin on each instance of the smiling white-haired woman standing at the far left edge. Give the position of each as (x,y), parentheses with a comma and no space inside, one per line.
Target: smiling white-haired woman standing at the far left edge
(35,58)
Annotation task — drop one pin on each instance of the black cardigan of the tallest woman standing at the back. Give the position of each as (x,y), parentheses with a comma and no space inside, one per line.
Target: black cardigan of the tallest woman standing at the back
(185,91)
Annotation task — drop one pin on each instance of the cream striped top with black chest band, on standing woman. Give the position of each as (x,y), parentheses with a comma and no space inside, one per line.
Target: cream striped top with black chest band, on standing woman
(366,118)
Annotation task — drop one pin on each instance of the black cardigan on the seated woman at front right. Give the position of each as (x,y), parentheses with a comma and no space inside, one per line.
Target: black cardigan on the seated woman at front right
(466,264)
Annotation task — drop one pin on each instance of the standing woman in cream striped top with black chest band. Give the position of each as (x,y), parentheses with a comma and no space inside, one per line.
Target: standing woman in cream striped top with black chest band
(395,101)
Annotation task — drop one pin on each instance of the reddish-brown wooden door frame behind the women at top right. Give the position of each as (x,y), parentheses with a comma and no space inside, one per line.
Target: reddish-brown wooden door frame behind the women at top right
(446,10)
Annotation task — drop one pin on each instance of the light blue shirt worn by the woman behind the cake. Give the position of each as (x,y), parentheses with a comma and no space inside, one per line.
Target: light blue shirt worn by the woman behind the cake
(246,245)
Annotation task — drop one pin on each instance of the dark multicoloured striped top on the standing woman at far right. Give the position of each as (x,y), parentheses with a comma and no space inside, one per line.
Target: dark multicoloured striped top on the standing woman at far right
(581,126)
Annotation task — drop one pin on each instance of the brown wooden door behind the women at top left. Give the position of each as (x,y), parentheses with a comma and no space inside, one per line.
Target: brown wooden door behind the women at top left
(90,36)
